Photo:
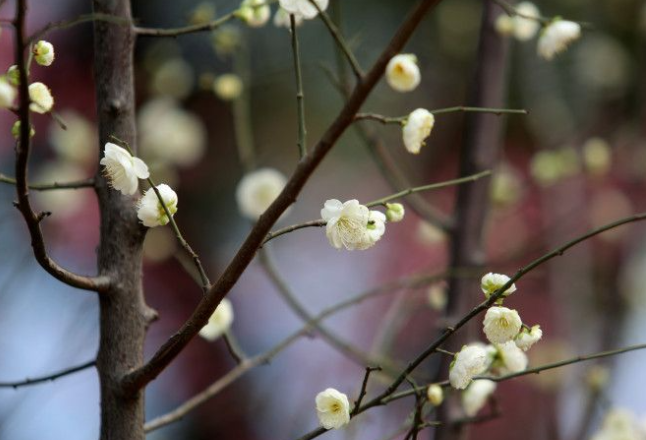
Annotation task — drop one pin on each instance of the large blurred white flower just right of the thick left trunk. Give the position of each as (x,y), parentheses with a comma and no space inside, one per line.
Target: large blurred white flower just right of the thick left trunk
(169,133)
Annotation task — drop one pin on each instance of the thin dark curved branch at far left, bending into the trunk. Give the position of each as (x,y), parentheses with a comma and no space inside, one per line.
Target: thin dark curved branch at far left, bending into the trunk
(98,284)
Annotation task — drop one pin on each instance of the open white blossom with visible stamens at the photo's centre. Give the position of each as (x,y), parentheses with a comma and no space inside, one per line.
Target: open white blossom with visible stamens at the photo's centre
(351,225)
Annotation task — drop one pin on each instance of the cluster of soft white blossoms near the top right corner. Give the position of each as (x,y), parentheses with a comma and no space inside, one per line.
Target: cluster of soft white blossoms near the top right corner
(525,22)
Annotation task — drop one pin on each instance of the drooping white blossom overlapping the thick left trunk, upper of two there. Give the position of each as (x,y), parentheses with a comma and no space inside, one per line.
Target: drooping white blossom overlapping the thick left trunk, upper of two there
(122,169)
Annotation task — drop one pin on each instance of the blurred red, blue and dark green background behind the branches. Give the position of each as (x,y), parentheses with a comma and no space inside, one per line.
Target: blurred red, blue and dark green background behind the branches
(575,162)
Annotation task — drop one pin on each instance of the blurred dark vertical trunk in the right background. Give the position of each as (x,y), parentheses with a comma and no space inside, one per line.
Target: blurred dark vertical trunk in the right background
(480,151)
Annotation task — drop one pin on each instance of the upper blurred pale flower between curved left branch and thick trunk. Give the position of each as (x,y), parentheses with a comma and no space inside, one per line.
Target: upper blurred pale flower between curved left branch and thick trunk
(78,141)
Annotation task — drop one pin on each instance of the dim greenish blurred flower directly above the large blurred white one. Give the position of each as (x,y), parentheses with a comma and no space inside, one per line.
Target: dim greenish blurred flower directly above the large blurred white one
(174,78)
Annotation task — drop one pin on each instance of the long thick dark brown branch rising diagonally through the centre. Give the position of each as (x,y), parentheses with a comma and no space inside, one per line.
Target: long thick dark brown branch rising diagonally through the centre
(169,350)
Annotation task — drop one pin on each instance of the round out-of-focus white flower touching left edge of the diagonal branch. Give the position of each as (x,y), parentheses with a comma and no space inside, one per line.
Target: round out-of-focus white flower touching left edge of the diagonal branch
(258,190)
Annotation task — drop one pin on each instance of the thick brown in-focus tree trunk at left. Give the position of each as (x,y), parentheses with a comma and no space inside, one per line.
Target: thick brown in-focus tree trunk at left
(124,314)
